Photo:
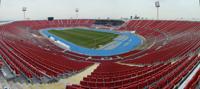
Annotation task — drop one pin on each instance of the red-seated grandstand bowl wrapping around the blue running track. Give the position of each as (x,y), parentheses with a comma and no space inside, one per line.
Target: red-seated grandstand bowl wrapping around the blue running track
(171,55)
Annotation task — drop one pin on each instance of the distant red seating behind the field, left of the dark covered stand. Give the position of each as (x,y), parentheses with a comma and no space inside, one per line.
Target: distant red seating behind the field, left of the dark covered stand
(40,24)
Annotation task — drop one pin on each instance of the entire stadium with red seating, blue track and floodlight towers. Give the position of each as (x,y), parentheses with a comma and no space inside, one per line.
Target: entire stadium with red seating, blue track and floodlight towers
(80,53)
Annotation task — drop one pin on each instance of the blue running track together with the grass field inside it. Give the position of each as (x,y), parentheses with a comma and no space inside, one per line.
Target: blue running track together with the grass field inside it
(88,40)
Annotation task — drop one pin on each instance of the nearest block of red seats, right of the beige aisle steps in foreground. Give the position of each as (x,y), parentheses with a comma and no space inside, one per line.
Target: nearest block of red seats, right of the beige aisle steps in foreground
(115,76)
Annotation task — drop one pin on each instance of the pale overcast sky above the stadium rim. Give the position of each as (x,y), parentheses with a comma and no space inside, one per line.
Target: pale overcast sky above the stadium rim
(65,9)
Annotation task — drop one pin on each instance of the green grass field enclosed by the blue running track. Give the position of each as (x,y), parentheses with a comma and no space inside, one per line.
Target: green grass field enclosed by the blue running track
(85,38)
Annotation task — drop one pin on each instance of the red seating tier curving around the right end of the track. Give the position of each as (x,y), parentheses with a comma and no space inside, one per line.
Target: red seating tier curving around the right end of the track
(168,40)
